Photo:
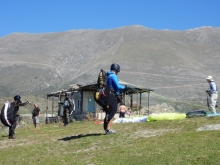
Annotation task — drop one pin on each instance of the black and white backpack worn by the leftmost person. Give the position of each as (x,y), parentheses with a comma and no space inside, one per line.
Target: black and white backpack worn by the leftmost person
(7,114)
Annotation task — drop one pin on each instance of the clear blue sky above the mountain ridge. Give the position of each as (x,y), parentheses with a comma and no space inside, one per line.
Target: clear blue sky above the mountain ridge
(41,16)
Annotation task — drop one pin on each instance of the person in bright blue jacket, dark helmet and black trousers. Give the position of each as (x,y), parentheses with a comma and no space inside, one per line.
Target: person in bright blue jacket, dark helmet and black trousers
(114,88)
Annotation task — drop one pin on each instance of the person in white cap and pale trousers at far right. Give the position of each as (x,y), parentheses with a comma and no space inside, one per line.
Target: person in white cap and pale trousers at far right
(212,94)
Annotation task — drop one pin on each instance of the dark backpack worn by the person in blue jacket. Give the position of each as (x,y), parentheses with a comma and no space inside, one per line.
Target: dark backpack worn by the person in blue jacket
(100,96)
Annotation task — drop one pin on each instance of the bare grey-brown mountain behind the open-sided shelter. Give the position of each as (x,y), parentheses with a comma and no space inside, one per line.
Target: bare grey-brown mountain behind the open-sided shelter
(173,63)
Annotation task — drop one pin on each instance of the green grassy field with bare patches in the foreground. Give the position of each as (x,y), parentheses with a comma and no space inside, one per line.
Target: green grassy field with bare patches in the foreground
(84,143)
